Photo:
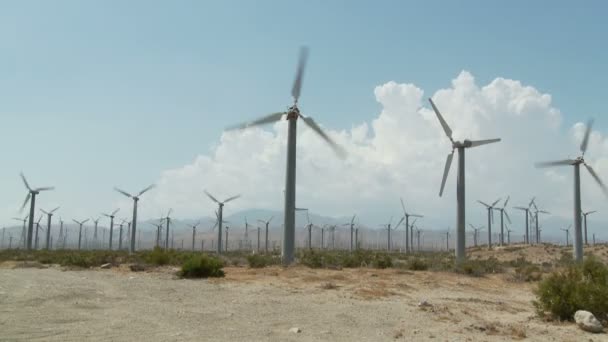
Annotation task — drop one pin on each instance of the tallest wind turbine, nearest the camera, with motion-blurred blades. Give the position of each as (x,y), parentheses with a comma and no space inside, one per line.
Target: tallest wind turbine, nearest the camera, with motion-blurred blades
(293,113)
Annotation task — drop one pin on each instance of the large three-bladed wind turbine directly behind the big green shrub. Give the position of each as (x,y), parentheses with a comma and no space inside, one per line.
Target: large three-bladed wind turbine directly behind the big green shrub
(578,234)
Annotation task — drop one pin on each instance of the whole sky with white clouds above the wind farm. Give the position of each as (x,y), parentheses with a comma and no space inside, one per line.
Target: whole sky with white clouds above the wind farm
(97,94)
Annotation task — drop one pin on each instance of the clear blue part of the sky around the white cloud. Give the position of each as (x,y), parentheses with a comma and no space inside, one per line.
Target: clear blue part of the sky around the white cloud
(95,94)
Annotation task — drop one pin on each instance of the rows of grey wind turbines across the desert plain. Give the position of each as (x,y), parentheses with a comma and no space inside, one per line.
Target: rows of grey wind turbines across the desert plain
(292,114)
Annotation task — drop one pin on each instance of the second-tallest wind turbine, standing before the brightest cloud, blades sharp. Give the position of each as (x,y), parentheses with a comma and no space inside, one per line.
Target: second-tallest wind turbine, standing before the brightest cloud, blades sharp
(460,183)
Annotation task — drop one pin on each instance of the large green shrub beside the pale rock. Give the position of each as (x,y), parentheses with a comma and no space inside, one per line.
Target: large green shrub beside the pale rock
(577,287)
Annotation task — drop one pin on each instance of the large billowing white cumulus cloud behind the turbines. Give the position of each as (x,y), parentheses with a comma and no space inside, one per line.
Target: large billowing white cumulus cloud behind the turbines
(399,154)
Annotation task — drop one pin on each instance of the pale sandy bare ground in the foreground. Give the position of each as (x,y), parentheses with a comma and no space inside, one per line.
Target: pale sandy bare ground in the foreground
(52,304)
